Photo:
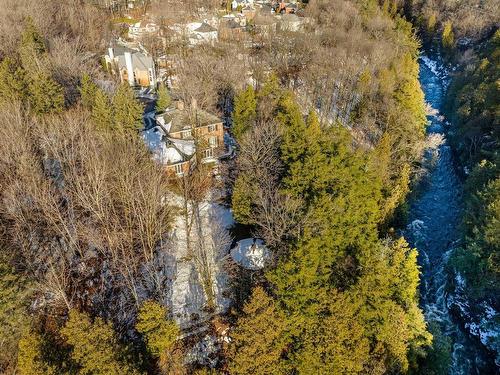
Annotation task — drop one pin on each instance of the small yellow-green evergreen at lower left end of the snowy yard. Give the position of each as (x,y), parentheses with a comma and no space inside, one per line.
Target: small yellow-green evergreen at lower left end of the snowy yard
(159,333)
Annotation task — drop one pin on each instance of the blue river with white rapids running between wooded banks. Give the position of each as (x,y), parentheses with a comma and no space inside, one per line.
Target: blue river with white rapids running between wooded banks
(434,229)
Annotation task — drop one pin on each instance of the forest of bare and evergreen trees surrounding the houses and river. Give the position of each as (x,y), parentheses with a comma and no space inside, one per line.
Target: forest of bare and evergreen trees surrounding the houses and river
(329,132)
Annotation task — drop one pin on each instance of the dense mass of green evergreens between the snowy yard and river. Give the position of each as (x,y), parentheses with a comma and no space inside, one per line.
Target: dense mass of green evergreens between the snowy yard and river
(334,267)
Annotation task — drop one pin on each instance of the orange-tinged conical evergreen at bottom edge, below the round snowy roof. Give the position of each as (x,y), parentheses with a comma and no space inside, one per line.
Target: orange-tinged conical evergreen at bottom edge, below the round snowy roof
(259,339)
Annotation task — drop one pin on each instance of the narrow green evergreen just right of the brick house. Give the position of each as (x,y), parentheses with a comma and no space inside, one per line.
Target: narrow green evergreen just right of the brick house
(245,112)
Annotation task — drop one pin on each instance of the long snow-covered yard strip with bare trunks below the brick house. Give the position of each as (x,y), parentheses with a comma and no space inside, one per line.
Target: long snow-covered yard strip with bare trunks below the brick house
(198,253)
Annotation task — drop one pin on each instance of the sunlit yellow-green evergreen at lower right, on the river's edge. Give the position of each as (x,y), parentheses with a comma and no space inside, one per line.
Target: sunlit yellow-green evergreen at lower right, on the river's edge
(388,306)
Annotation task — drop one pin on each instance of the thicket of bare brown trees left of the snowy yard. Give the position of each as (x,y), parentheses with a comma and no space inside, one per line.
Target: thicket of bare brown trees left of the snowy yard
(84,211)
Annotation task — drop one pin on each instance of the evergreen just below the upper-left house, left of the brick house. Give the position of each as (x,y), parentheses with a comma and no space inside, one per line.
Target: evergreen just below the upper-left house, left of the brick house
(127,111)
